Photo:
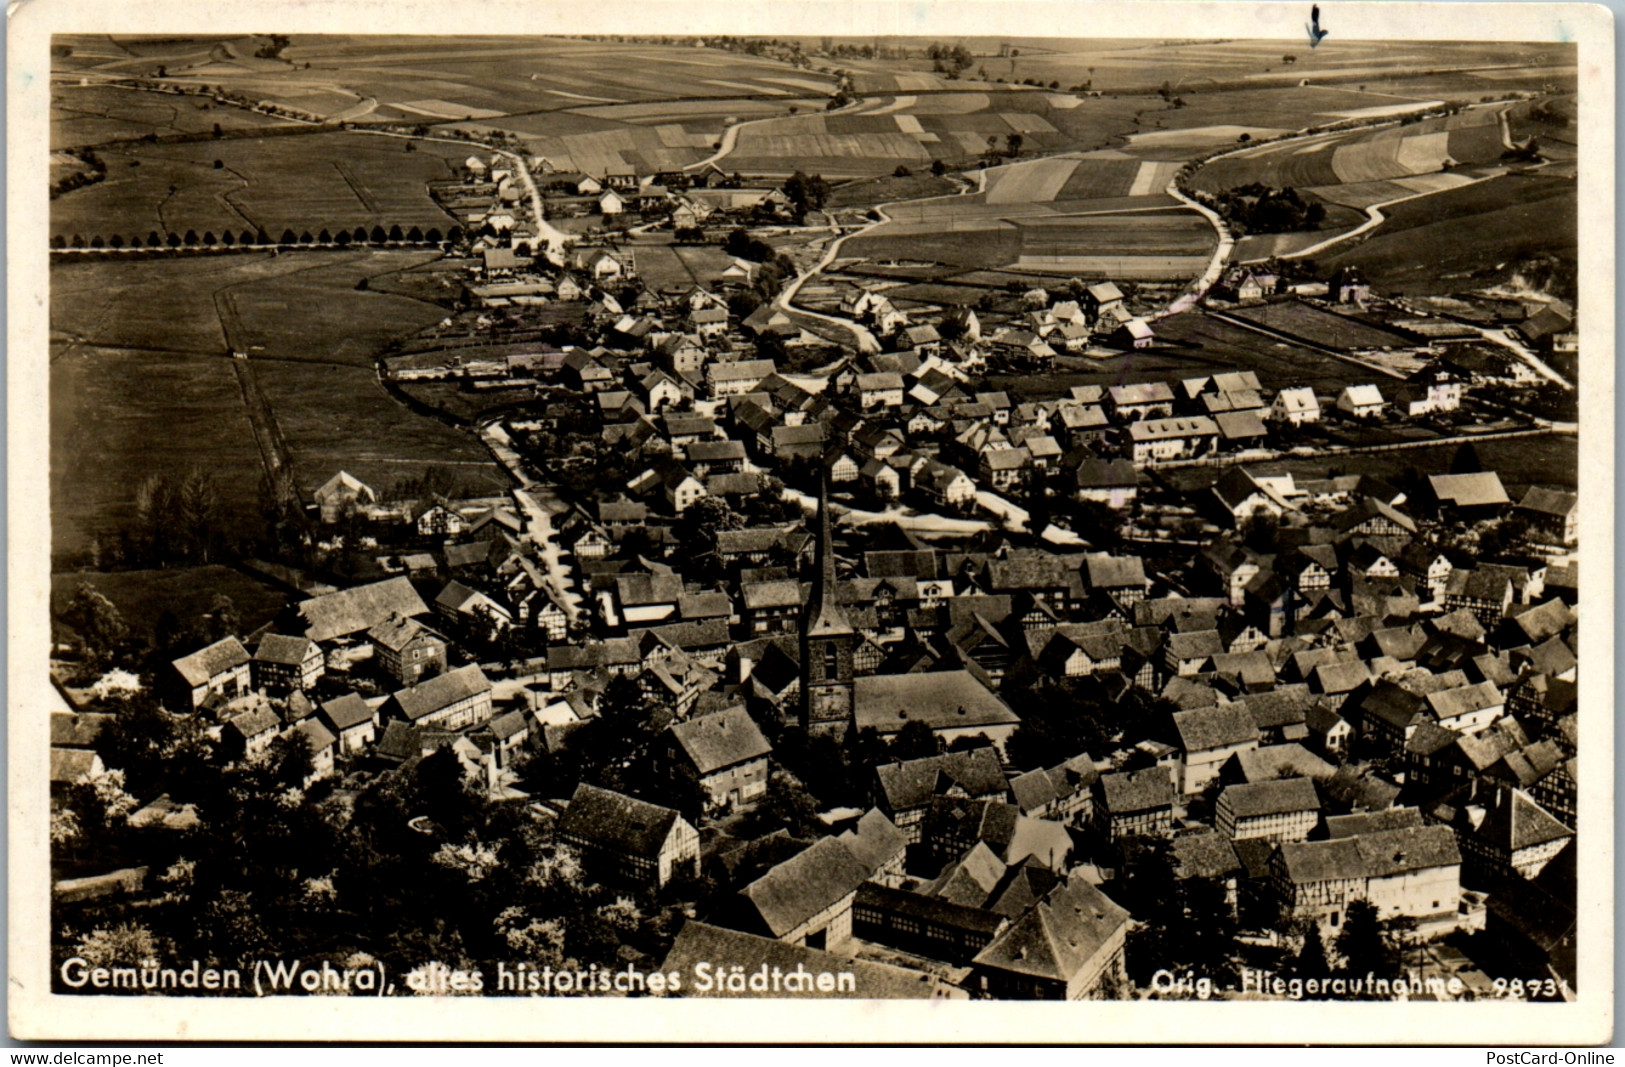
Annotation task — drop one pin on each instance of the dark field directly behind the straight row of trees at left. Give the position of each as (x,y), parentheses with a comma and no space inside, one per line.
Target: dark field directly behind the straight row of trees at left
(300,183)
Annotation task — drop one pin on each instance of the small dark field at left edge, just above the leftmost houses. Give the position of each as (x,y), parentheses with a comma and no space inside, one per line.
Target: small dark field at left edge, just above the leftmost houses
(184,592)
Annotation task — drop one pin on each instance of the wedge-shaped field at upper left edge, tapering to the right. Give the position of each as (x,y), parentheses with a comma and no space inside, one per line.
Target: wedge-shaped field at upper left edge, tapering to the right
(100,114)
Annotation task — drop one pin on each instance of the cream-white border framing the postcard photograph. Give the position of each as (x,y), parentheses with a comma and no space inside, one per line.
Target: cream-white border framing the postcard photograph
(35,1013)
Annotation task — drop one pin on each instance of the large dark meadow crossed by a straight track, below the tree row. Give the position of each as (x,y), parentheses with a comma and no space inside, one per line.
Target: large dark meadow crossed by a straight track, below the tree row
(142,345)
